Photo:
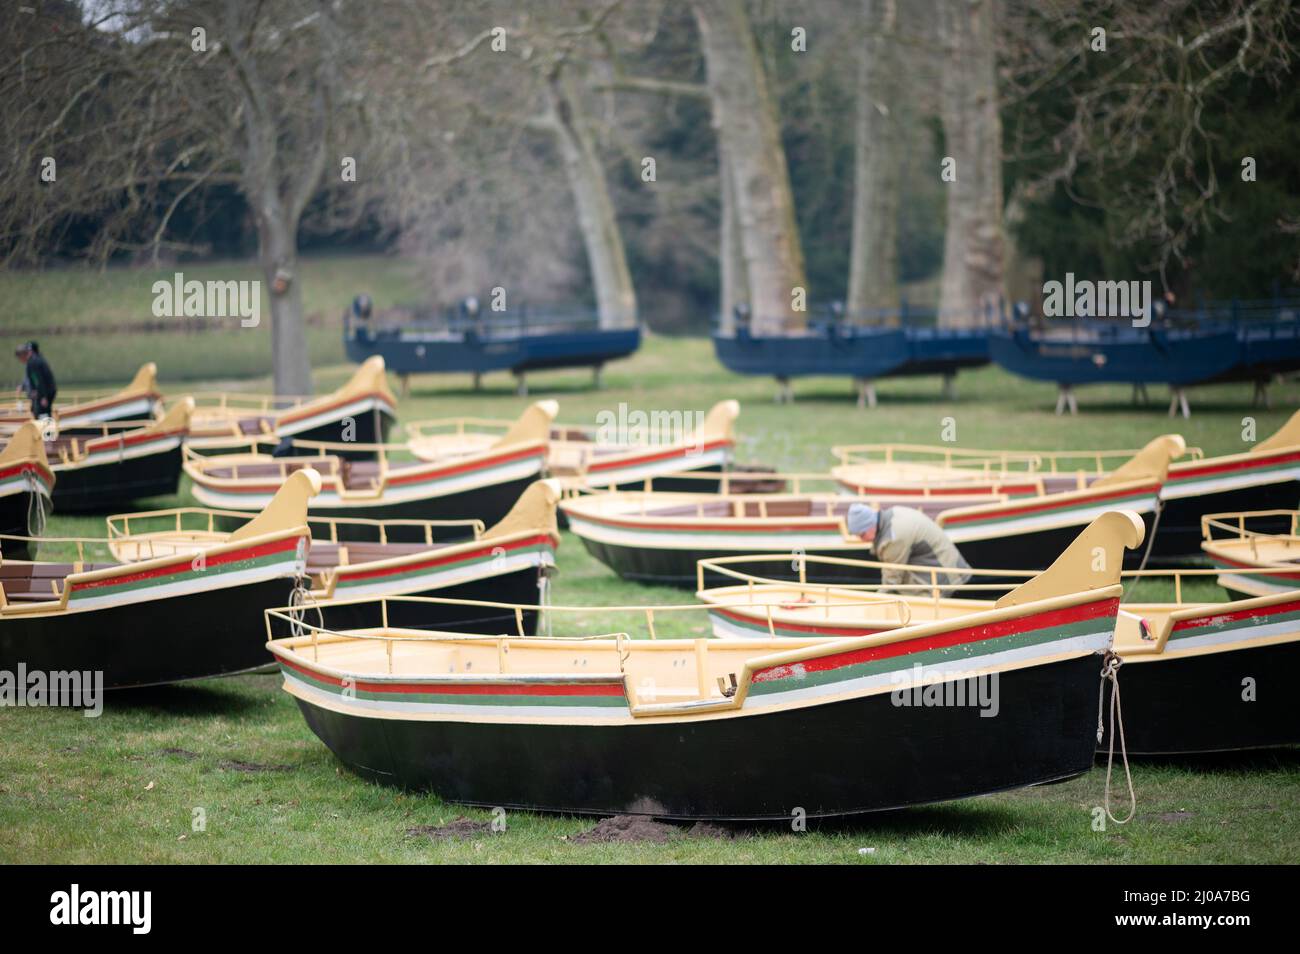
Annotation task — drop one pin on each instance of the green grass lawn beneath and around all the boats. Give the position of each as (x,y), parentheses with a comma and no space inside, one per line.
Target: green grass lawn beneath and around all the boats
(125,787)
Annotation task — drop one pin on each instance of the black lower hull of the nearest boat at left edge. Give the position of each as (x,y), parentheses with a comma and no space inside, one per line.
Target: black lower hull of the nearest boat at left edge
(172,640)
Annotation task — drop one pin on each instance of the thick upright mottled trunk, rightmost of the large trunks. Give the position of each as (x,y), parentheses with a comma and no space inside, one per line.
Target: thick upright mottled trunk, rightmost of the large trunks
(973,245)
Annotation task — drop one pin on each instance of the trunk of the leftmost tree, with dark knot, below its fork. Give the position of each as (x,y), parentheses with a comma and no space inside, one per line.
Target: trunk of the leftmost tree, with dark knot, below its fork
(278,248)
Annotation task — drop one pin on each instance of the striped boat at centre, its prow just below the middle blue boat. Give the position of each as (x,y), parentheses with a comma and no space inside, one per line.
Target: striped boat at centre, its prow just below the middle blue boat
(582,459)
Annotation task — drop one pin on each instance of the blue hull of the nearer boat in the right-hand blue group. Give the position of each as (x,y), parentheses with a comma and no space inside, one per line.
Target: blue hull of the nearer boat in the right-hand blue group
(1123,355)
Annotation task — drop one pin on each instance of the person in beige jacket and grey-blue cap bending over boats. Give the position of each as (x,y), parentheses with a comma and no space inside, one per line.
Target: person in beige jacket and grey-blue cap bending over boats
(907,536)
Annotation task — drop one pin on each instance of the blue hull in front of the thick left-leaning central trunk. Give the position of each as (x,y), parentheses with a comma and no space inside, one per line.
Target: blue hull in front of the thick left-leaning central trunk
(860,354)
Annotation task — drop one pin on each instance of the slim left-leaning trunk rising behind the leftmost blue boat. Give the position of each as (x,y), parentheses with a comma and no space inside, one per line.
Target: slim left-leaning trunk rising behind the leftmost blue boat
(616,296)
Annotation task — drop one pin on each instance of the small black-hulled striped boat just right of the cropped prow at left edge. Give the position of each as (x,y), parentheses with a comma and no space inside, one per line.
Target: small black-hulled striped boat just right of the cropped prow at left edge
(106,466)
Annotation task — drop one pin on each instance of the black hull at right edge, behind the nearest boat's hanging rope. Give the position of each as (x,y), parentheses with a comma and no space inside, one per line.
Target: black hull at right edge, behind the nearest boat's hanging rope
(1197,705)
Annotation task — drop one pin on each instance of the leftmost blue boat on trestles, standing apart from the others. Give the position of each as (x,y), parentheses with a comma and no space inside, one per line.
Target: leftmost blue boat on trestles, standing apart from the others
(421,353)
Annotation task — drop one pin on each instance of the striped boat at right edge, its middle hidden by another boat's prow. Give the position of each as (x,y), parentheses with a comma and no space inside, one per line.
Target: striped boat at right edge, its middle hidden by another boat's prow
(1264,478)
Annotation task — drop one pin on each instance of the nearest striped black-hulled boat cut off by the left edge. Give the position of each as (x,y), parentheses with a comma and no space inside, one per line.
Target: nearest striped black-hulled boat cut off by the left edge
(159,621)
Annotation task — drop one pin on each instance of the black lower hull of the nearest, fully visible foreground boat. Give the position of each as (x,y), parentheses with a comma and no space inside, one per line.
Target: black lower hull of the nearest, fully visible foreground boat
(844,758)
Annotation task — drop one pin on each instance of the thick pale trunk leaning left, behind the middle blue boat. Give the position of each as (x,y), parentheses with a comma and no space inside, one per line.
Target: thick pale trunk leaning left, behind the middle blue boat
(746,119)
